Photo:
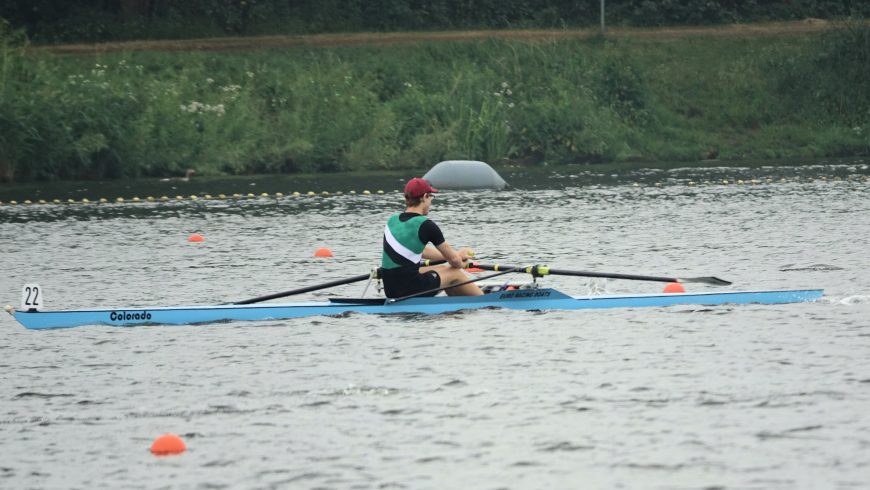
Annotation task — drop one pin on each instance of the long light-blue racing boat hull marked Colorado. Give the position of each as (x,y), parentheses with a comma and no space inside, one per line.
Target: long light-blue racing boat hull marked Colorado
(525,299)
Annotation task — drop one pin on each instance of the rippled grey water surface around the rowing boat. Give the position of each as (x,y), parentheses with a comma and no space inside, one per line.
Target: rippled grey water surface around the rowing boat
(685,397)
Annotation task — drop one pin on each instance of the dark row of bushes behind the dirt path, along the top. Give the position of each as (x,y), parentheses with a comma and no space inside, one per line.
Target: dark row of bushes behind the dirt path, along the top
(102,20)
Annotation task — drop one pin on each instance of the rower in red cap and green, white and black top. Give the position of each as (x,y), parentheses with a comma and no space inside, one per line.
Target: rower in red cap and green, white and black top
(406,239)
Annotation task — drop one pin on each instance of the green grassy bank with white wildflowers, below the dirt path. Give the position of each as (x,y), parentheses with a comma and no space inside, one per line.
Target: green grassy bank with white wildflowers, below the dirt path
(109,115)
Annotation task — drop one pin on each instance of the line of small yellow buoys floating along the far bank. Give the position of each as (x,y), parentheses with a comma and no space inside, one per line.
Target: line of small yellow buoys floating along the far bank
(310,194)
